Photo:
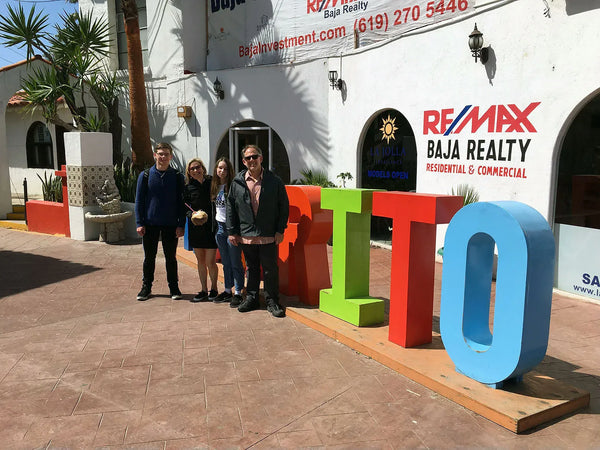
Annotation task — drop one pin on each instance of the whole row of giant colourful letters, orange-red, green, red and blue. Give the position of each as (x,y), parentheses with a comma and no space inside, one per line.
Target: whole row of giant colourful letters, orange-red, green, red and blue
(523,298)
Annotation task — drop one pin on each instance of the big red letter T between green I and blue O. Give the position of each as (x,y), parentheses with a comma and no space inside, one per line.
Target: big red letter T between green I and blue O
(413,259)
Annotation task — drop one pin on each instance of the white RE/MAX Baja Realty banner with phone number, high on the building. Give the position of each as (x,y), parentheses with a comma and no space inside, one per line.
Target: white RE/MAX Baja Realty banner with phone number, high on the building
(253,32)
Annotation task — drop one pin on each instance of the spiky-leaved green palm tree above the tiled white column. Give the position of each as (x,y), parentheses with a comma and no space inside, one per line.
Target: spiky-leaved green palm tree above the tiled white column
(75,69)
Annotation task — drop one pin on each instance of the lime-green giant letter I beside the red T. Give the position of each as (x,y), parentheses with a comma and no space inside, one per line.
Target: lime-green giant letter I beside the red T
(348,298)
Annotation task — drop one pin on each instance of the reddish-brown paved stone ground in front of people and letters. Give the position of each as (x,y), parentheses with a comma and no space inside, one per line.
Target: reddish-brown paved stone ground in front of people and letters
(84,365)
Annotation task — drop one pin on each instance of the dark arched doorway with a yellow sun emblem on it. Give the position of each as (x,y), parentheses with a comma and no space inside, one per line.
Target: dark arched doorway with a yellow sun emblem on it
(388,161)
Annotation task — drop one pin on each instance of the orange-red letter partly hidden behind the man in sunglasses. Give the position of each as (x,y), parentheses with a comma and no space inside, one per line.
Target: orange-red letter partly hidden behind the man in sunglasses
(303,267)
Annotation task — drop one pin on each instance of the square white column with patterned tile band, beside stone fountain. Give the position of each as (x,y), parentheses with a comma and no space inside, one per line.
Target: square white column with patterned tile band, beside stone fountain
(89,163)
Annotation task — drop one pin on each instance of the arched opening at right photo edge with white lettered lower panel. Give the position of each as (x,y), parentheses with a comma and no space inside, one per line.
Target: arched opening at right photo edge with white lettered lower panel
(577,207)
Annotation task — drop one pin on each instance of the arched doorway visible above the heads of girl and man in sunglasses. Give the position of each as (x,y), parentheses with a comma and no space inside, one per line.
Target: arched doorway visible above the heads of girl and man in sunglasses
(248,132)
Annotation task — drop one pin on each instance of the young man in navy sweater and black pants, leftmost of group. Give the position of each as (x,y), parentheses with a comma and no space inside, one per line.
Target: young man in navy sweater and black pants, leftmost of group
(159,213)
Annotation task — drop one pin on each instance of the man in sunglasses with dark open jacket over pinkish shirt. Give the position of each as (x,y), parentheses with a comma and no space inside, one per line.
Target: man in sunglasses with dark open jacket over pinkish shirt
(257,215)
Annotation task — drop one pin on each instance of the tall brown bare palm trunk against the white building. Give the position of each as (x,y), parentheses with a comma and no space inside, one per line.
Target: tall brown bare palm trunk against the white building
(141,150)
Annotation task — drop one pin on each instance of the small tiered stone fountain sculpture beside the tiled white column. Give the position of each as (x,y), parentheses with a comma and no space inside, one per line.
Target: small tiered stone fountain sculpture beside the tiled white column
(111,222)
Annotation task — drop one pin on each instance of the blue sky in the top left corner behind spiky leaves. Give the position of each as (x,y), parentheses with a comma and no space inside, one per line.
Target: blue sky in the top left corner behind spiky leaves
(53,8)
